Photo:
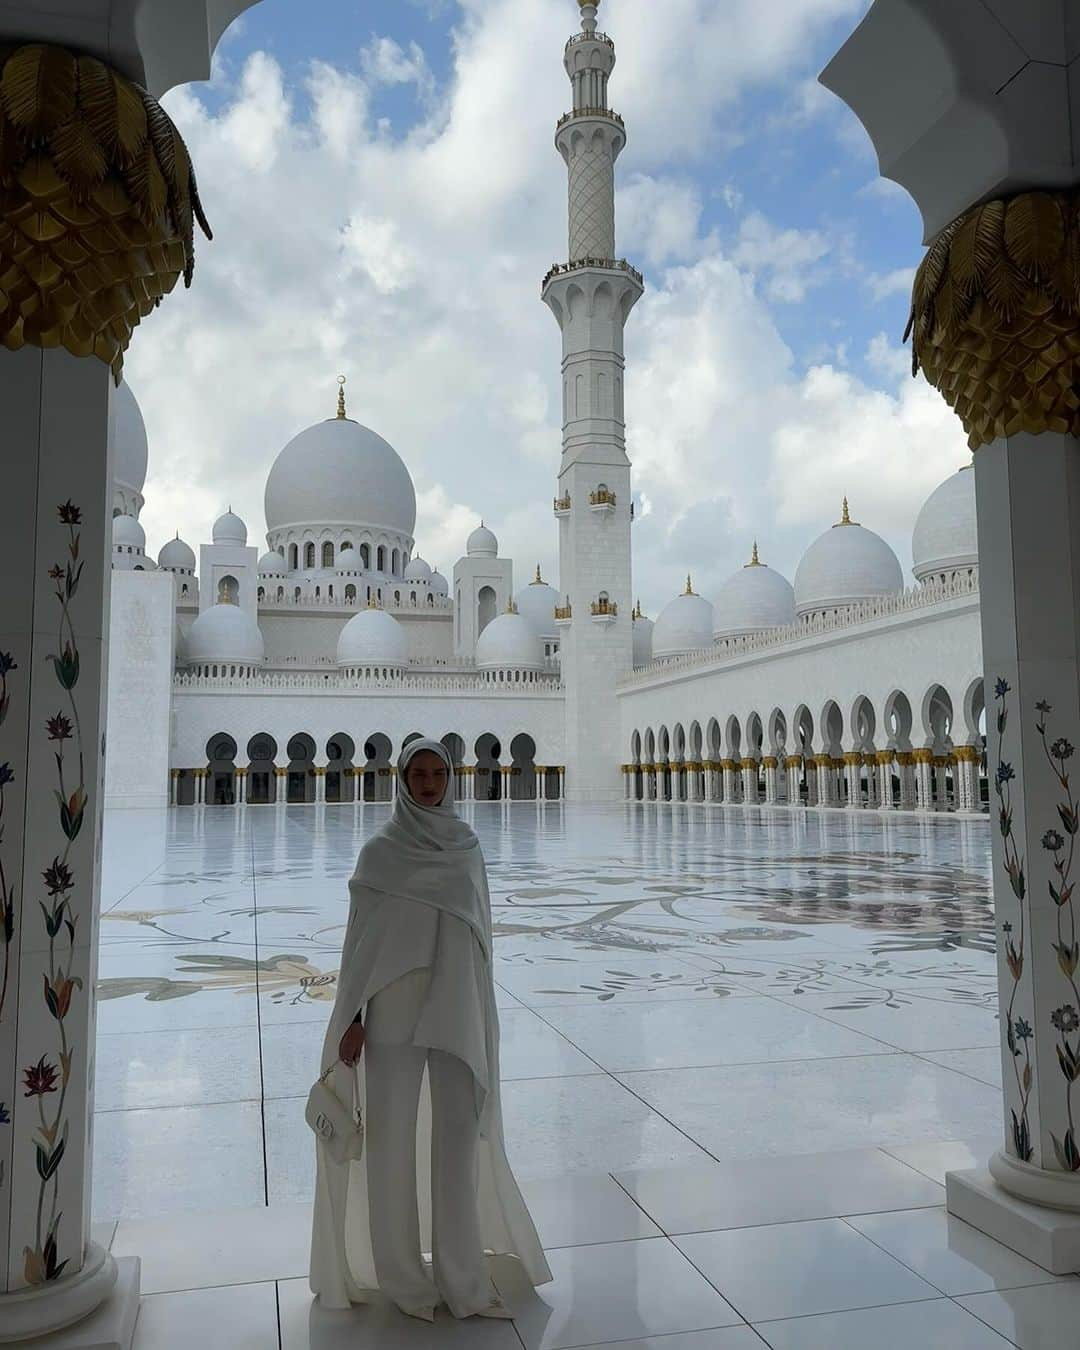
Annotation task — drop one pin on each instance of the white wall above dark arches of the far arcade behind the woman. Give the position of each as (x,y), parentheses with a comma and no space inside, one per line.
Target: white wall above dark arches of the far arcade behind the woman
(245,712)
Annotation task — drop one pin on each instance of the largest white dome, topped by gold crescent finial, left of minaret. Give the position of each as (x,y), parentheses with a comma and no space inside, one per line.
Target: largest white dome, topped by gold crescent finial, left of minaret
(341,473)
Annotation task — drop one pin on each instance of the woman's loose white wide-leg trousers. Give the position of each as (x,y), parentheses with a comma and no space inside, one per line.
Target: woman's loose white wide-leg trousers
(394,1071)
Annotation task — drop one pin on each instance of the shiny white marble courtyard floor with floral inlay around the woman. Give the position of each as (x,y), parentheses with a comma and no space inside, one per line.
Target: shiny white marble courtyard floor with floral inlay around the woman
(740,1050)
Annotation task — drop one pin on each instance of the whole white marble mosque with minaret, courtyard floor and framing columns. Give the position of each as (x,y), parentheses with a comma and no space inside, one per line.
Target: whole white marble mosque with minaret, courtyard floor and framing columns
(782,881)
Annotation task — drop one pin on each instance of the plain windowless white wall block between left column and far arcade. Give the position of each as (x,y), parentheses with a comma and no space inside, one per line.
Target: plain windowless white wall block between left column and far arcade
(141,661)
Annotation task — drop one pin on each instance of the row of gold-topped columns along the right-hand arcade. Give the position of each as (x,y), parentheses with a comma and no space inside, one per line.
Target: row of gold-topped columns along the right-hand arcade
(892,780)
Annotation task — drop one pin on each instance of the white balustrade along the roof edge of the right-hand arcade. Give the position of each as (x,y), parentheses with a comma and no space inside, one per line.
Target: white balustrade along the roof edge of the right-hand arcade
(847,618)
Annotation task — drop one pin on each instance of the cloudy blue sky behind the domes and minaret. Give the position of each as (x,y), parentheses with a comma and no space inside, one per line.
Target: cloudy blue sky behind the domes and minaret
(387,198)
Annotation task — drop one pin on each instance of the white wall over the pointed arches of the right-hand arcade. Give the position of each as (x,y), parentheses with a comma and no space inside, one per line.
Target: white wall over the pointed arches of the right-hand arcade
(913,654)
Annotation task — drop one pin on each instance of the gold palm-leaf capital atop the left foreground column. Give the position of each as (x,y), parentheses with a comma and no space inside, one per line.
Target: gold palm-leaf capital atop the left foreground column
(98,202)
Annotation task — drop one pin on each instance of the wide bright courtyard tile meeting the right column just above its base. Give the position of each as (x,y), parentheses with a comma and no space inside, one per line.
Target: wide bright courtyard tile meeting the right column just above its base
(817,1108)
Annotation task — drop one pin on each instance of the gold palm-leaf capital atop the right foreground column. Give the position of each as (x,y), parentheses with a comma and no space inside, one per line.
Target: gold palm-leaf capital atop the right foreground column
(996,317)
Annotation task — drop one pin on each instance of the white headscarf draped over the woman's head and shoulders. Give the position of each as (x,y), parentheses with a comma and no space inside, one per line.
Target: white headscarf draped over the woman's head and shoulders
(429,854)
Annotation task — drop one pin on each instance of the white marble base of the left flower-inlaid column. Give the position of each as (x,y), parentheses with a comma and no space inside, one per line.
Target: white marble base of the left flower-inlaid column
(95,1310)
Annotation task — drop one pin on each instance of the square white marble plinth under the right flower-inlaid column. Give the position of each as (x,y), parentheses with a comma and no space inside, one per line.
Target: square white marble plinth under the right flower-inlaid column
(1046,1236)
